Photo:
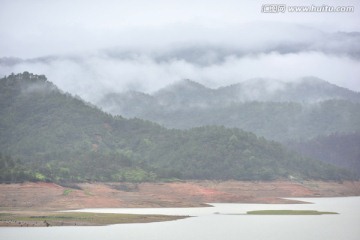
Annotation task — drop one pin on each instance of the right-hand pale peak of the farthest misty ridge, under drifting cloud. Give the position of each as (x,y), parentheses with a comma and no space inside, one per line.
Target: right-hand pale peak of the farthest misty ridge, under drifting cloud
(305,90)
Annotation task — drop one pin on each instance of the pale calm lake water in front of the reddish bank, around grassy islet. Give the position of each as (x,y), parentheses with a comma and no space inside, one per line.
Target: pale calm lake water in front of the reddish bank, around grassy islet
(223,221)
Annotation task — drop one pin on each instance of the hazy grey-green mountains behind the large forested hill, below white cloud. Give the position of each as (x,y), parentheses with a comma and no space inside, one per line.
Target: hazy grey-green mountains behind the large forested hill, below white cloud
(273,109)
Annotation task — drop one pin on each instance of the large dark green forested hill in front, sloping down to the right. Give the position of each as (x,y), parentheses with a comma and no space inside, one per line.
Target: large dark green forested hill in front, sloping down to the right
(51,135)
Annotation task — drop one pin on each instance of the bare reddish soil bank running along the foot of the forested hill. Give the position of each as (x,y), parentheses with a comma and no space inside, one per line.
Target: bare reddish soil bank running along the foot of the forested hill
(180,194)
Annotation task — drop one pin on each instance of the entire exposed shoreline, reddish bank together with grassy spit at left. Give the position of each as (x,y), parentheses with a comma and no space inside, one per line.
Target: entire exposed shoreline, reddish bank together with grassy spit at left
(38,204)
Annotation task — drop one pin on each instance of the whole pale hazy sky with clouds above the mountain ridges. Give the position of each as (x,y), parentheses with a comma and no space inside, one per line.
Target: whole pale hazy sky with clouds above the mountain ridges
(92,47)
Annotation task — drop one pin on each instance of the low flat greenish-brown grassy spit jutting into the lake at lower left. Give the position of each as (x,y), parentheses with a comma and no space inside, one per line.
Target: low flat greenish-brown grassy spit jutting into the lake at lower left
(77,218)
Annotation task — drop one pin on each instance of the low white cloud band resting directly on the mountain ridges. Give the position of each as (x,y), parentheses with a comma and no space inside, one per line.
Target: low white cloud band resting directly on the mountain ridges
(94,75)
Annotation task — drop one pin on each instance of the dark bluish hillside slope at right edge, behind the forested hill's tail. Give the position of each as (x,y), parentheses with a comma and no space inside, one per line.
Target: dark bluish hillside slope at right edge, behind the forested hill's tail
(342,150)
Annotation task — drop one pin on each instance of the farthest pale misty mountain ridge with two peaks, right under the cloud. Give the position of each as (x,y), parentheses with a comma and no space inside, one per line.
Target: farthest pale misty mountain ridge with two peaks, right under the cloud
(187,93)
